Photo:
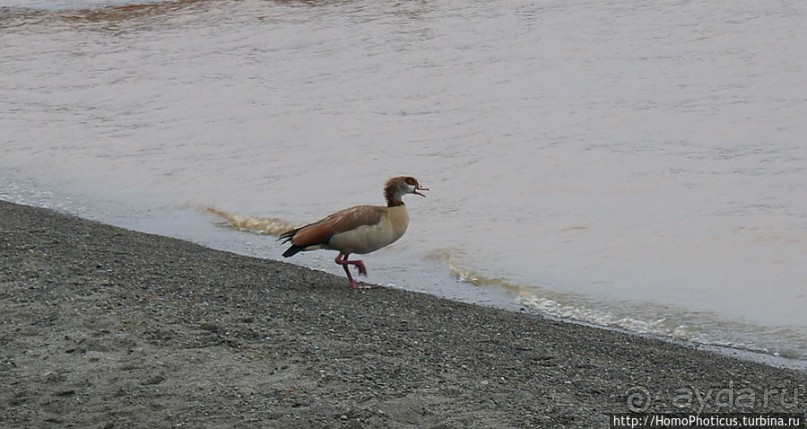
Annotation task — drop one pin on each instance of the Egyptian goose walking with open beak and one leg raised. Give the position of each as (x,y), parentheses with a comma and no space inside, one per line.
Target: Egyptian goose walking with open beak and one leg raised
(360,229)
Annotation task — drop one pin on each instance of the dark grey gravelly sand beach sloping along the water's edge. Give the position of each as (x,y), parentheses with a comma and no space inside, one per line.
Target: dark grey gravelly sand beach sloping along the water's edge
(108,328)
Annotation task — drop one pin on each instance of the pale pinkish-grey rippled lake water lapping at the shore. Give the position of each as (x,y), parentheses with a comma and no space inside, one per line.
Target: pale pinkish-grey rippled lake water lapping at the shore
(634,164)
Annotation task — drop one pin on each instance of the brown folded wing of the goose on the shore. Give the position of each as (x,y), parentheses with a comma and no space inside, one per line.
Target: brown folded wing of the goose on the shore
(320,232)
